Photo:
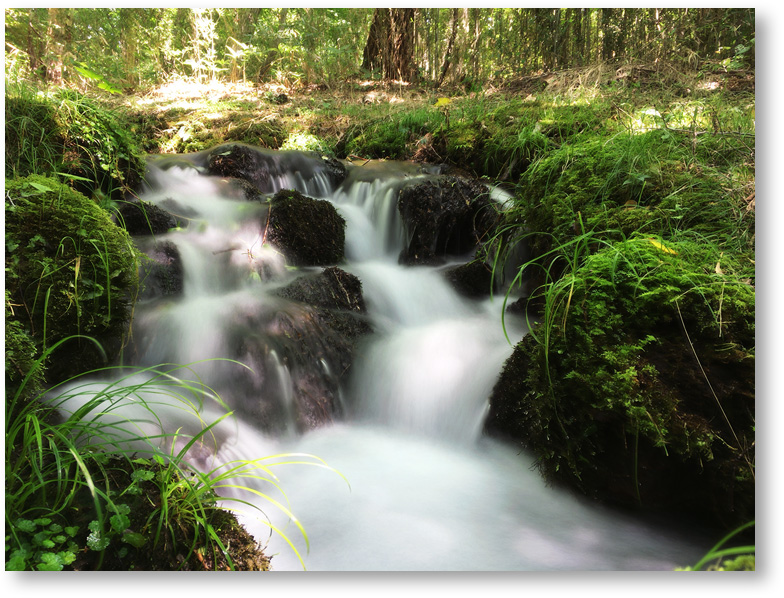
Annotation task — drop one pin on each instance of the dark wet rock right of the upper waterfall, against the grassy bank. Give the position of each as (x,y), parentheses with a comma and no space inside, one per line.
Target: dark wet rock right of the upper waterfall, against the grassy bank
(447,215)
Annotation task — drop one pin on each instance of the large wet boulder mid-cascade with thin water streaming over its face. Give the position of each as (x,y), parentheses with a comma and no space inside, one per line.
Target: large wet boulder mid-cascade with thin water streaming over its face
(300,352)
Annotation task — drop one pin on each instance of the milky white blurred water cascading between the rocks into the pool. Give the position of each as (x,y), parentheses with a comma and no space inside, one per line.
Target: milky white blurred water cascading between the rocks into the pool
(425,490)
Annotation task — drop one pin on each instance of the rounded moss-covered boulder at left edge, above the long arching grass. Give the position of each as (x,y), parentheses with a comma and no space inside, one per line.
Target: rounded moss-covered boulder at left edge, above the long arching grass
(69,271)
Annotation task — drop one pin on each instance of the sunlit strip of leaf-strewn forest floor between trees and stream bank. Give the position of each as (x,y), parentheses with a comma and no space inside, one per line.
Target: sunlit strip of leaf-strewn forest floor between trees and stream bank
(185,116)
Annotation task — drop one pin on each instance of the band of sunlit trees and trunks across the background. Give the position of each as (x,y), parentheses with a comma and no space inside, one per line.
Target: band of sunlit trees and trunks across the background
(131,48)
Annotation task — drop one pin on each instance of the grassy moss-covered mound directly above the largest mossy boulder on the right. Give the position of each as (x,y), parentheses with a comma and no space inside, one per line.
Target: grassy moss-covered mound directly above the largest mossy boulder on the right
(646,183)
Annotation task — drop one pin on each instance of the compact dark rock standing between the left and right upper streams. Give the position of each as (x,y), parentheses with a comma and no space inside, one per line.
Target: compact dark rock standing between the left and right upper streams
(309,232)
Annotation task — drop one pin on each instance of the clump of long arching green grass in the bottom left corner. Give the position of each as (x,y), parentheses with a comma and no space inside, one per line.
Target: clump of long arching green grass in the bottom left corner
(61,457)
